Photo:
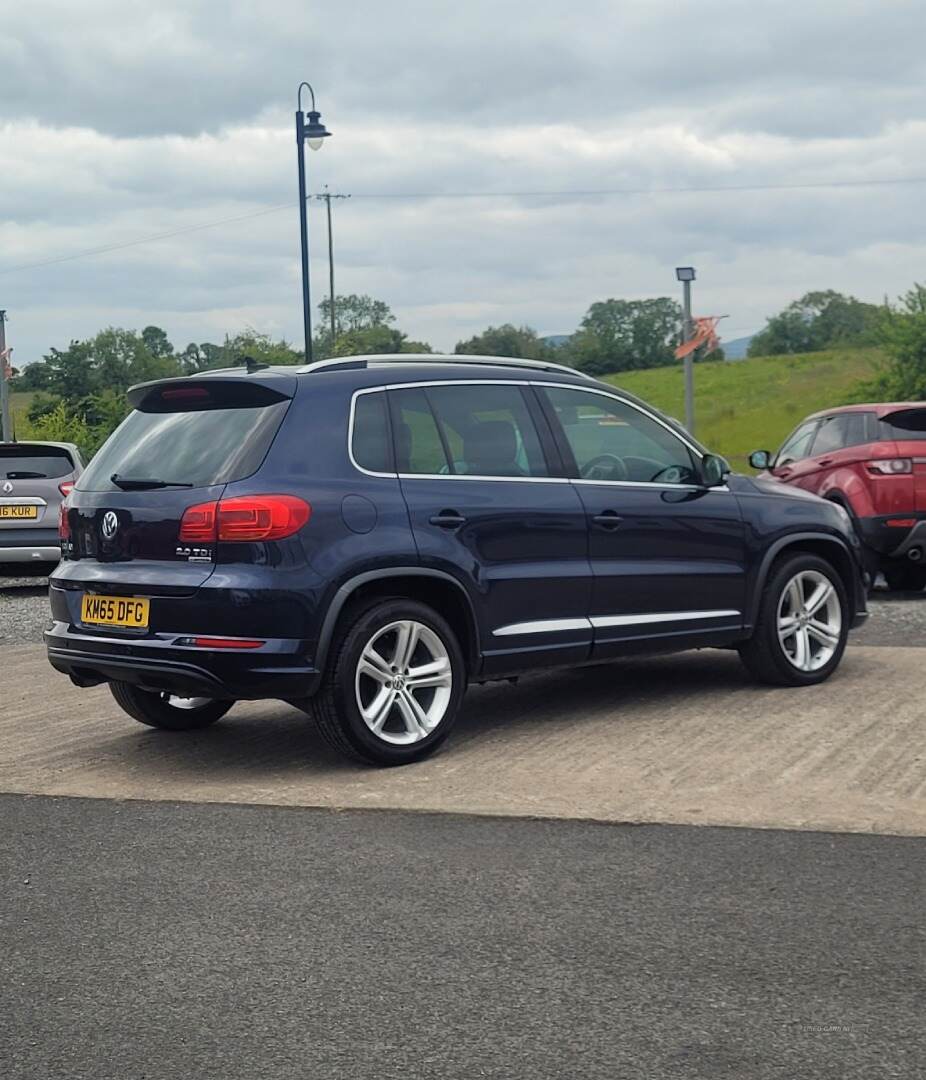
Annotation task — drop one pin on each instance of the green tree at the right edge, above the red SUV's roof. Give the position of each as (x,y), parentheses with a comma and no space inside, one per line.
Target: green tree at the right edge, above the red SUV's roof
(903,334)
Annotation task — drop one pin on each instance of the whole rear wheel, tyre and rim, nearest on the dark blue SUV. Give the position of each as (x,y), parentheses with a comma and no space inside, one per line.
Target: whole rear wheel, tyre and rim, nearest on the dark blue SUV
(395,684)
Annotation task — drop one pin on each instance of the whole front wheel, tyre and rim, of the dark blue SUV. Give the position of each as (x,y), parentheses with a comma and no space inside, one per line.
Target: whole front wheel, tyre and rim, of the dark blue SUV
(803,624)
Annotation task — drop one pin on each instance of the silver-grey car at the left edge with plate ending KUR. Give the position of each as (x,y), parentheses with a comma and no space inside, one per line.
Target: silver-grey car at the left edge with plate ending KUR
(35,479)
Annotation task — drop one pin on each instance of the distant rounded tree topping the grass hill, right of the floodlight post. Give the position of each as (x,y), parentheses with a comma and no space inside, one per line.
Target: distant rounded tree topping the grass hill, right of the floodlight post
(817,321)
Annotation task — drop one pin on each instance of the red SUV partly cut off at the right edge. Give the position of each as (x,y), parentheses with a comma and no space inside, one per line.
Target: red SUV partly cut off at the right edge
(871,460)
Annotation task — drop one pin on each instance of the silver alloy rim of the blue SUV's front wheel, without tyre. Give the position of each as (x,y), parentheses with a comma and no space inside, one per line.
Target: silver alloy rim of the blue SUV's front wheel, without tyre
(810,620)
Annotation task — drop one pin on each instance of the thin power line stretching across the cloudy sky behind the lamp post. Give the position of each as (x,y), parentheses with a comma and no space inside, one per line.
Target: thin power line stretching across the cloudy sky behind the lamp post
(574,194)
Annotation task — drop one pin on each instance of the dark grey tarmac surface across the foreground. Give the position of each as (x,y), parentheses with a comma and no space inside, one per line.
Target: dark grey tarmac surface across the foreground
(179,942)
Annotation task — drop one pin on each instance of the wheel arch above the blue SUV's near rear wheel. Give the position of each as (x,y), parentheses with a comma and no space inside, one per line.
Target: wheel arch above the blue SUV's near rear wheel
(437,589)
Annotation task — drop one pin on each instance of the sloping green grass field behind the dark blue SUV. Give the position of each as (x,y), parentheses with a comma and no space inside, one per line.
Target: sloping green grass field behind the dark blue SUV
(753,404)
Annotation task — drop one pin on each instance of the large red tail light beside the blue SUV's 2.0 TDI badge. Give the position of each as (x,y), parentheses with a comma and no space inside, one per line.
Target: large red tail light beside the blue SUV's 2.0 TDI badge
(246,518)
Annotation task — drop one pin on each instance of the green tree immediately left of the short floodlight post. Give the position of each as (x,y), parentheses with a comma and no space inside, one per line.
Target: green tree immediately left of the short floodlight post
(626,335)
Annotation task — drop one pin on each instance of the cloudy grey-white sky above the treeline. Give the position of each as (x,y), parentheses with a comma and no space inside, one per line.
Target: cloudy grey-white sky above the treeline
(126,120)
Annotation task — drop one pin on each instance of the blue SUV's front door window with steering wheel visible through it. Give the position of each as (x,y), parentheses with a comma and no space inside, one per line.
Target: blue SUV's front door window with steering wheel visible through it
(614,441)
